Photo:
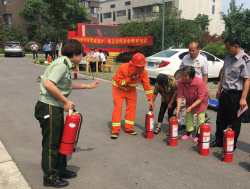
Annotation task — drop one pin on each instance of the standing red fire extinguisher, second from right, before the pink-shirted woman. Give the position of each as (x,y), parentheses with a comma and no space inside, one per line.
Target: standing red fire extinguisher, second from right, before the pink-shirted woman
(204,139)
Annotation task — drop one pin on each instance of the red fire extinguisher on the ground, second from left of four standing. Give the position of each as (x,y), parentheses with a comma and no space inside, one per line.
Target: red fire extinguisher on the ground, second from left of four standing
(173,131)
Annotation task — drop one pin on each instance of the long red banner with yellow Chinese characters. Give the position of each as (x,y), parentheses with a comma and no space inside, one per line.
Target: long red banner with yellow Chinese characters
(116,41)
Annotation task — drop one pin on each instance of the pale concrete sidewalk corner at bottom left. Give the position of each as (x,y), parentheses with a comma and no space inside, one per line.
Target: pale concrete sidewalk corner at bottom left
(10,176)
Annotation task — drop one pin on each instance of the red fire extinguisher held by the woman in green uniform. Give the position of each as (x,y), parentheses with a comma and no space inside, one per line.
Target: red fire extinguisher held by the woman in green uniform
(71,133)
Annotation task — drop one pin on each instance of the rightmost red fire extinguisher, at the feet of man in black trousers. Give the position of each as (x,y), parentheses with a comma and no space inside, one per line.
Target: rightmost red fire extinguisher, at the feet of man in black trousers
(228,144)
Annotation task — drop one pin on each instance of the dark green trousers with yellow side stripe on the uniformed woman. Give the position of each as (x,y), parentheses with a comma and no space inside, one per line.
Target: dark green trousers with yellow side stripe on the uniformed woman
(53,163)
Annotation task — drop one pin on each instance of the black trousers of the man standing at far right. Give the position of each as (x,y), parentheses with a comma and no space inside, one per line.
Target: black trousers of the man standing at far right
(227,115)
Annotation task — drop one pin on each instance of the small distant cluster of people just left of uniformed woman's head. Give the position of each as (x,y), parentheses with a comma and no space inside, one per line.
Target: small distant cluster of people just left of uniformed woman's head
(52,49)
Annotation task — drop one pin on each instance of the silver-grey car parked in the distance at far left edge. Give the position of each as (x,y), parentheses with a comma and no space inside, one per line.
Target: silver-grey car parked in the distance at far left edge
(14,48)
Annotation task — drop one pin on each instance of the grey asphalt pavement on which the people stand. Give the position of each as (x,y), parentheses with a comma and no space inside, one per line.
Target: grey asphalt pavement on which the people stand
(128,162)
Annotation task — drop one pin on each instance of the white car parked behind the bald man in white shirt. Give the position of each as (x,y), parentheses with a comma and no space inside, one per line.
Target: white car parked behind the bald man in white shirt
(168,62)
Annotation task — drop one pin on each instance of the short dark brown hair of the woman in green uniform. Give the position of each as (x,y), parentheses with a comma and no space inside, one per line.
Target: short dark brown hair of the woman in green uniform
(71,47)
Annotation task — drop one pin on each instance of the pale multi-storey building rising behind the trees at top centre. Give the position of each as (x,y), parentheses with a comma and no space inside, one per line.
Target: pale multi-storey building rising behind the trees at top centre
(112,12)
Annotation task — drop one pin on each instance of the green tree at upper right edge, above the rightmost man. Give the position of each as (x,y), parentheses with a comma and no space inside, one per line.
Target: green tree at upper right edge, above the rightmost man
(237,21)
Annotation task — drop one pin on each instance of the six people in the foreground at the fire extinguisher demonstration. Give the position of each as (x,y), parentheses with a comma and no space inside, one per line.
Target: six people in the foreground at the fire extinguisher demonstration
(56,85)
